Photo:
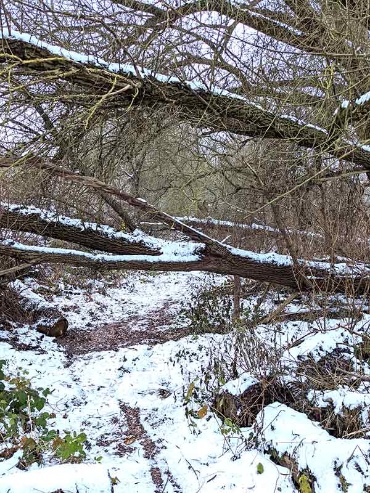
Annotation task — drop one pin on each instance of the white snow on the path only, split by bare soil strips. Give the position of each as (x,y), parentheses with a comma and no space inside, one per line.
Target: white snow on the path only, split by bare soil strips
(88,393)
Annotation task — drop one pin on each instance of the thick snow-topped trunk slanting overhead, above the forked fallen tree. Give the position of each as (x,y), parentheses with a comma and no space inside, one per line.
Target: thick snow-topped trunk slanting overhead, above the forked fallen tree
(117,86)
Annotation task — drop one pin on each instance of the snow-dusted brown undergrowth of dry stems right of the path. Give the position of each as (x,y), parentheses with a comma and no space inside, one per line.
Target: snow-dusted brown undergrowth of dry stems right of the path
(247,351)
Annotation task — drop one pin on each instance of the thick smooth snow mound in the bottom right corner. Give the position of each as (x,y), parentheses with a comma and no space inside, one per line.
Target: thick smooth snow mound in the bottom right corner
(291,432)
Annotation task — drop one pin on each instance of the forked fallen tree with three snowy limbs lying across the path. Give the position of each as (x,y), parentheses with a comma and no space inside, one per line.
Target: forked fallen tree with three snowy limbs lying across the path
(199,253)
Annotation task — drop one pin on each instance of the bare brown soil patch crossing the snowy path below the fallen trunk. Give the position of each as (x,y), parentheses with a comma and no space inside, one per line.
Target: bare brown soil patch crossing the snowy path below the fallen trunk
(113,336)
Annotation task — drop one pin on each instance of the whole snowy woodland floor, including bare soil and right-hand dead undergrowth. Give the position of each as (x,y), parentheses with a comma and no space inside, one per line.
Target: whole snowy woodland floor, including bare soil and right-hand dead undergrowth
(134,377)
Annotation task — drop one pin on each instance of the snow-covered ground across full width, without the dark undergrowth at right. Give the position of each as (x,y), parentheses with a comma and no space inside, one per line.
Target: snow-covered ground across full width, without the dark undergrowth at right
(150,430)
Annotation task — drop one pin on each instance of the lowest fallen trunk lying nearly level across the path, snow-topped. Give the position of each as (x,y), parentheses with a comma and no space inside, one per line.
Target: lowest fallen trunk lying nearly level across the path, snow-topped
(273,268)
